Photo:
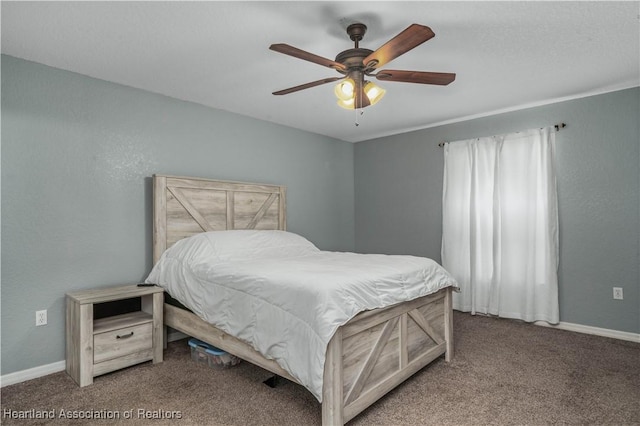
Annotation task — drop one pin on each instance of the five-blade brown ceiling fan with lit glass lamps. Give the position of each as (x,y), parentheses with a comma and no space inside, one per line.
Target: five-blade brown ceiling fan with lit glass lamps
(358,63)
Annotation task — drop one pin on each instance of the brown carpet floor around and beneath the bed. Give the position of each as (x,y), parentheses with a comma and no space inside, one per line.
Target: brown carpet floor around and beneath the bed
(504,372)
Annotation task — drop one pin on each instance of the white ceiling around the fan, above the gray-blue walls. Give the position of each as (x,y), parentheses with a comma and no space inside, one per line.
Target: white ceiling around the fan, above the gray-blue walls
(507,55)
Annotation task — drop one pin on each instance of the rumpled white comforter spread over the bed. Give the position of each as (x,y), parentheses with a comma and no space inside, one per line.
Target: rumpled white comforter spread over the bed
(282,295)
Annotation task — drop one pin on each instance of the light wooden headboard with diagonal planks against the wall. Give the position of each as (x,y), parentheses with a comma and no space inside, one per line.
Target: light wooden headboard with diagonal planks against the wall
(184,206)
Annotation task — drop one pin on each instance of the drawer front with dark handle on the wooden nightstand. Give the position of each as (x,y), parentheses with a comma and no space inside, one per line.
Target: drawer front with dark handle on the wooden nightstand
(123,341)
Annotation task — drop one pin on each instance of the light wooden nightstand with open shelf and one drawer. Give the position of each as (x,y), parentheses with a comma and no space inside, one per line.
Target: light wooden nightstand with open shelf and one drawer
(96,347)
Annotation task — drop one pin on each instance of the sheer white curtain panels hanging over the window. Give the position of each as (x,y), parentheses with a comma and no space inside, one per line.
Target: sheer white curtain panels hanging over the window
(500,225)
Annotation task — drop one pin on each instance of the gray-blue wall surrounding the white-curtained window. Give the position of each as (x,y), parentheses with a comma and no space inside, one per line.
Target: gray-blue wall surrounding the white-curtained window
(399,198)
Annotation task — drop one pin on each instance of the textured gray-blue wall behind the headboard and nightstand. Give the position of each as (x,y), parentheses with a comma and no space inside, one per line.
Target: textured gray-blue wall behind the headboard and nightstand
(77,159)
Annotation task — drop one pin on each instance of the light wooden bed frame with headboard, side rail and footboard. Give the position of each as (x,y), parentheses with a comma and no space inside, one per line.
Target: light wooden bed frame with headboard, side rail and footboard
(366,358)
